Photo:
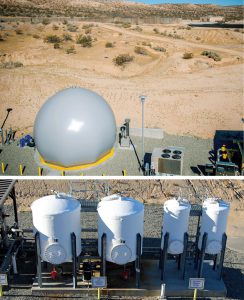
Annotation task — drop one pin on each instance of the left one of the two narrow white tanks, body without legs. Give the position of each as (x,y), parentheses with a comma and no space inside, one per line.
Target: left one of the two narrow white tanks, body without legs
(175,222)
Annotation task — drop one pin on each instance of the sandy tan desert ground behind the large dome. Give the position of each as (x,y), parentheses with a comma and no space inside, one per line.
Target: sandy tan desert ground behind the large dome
(185,96)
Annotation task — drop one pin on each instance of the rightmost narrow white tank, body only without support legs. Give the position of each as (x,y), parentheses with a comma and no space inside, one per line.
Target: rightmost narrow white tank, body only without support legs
(214,221)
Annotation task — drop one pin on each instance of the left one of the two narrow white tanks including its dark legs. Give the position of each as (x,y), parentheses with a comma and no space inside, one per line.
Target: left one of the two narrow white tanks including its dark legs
(174,232)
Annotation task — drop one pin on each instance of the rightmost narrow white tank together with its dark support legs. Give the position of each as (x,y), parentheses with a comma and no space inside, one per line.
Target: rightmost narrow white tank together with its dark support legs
(212,236)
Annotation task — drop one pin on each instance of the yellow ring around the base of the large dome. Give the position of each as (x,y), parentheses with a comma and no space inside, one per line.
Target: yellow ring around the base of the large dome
(105,157)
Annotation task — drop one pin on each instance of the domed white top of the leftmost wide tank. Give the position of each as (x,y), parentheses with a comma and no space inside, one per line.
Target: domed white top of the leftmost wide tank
(55,204)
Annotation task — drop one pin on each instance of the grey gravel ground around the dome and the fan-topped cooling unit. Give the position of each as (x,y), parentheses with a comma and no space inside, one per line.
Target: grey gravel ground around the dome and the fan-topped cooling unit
(196,154)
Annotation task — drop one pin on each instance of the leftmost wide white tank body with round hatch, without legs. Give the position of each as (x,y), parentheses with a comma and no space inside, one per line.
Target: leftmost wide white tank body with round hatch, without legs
(55,217)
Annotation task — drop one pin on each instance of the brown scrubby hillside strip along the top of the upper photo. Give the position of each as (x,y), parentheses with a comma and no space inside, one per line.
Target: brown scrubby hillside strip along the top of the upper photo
(110,8)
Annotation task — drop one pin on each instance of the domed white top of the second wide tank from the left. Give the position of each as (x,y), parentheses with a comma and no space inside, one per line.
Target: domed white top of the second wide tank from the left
(118,206)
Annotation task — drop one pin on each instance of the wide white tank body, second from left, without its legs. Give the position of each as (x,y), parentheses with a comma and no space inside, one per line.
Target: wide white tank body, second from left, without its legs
(121,219)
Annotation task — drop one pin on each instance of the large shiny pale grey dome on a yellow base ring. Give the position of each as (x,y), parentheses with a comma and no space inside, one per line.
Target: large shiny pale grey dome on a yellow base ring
(74,127)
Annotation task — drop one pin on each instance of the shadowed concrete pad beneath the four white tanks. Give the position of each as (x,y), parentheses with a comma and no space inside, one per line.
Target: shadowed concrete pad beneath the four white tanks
(150,284)
